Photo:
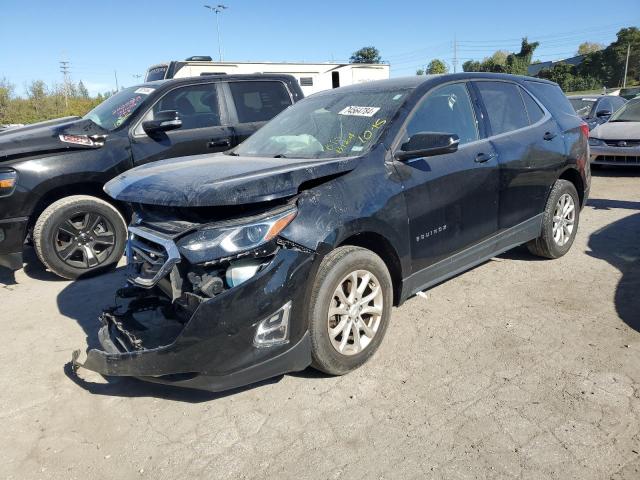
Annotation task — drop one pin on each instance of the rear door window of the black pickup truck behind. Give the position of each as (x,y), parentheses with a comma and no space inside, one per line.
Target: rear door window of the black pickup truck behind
(259,101)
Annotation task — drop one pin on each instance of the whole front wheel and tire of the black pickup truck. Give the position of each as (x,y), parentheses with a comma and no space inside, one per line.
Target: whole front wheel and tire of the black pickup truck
(79,235)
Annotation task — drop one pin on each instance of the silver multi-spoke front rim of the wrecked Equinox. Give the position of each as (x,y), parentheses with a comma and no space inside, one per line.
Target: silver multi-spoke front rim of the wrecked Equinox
(355,312)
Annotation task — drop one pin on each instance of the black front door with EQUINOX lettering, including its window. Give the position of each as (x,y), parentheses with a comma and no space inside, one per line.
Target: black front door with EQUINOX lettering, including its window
(452,199)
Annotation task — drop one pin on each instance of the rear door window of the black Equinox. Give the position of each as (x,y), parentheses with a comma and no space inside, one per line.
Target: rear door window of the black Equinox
(504,106)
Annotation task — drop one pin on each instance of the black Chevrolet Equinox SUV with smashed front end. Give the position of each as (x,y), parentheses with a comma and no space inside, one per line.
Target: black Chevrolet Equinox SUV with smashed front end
(291,249)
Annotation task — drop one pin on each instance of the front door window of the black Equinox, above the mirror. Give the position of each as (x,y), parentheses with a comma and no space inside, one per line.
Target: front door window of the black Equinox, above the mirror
(447,109)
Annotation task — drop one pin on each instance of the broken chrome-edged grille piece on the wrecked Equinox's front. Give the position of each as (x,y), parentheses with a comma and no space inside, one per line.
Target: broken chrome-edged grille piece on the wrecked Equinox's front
(150,256)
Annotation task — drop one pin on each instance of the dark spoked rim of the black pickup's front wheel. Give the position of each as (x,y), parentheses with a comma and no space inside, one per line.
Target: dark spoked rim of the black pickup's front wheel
(84,240)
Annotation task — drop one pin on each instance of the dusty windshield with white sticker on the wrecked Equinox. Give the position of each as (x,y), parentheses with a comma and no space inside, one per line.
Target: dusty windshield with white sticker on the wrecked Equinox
(330,125)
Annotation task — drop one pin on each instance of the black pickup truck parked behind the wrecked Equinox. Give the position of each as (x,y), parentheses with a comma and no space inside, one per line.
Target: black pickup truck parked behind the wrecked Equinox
(52,173)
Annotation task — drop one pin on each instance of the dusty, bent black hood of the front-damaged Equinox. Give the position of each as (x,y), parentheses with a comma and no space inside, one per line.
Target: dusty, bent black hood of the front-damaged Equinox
(219,180)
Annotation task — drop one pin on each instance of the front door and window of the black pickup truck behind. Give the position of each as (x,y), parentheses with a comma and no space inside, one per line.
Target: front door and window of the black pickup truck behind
(201,132)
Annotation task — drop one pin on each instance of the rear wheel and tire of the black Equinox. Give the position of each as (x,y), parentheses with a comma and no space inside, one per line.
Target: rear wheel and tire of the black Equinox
(559,222)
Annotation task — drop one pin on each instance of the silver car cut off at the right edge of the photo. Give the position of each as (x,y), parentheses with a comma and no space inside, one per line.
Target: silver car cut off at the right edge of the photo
(617,142)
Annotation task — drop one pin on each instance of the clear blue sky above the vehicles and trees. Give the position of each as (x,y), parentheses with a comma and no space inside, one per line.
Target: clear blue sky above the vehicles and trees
(98,38)
